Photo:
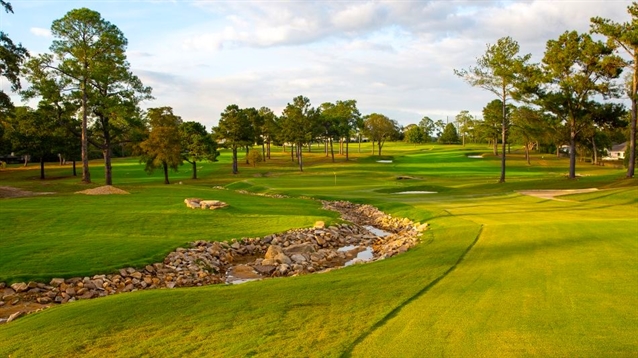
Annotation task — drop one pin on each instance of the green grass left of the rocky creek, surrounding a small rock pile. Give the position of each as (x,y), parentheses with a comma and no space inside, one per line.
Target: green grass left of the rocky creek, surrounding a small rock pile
(77,235)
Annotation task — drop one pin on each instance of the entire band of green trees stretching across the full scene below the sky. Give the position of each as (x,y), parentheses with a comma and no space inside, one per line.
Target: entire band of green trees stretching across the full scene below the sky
(89,101)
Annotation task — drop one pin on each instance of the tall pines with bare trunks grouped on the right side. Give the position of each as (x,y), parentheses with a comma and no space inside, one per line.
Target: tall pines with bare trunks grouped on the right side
(564,88)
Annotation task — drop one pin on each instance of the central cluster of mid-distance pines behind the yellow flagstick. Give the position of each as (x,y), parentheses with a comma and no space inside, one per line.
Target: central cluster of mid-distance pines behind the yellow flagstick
(299,125)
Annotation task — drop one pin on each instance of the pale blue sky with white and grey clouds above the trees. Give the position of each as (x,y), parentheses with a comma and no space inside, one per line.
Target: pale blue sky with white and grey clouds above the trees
(393,57)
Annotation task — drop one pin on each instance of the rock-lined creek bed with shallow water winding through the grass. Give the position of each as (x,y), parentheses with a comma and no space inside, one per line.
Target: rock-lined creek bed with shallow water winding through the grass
(294,252)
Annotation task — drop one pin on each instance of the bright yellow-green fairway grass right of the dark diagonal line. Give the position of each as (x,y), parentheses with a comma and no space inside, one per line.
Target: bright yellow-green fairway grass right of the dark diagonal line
(567,288)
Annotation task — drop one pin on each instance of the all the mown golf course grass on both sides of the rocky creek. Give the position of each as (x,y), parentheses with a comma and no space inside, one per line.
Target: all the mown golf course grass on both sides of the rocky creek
(545,277)
